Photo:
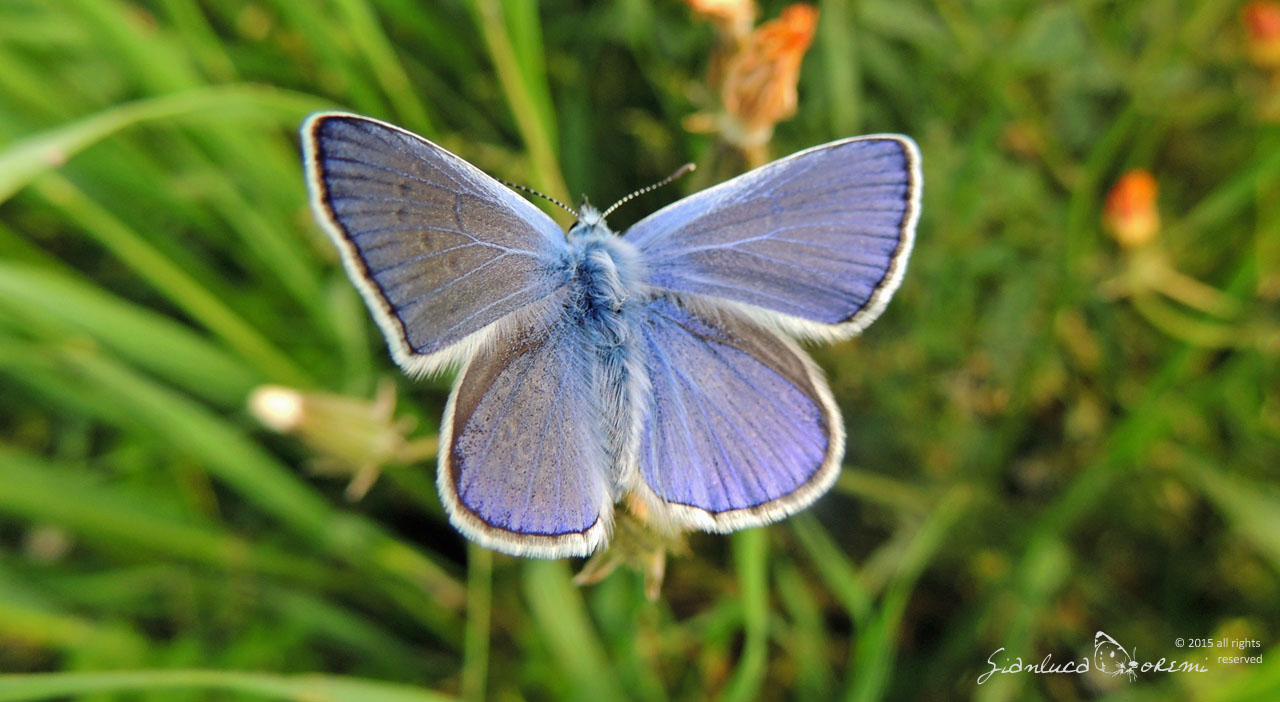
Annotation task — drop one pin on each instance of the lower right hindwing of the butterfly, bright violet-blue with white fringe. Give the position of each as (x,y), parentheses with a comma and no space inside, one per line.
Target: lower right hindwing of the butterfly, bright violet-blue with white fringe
(742,429)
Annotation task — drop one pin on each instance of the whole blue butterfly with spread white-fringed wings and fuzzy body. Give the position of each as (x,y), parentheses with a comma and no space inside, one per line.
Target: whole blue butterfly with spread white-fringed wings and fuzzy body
(659,364)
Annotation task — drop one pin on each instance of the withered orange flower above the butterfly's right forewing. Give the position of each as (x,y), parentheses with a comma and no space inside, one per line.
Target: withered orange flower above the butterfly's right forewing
(760,88)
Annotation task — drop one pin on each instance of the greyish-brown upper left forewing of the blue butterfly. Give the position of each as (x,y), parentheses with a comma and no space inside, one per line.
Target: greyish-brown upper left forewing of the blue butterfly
(440,250)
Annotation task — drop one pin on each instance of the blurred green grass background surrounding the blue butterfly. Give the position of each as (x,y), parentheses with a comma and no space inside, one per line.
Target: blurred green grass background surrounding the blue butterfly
(1050,435)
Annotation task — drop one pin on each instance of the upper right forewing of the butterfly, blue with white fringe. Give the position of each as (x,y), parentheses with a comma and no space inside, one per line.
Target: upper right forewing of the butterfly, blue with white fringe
(815,244)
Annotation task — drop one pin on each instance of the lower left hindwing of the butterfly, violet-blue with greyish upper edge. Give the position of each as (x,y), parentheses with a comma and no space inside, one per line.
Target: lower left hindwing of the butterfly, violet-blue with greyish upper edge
(522,467)
